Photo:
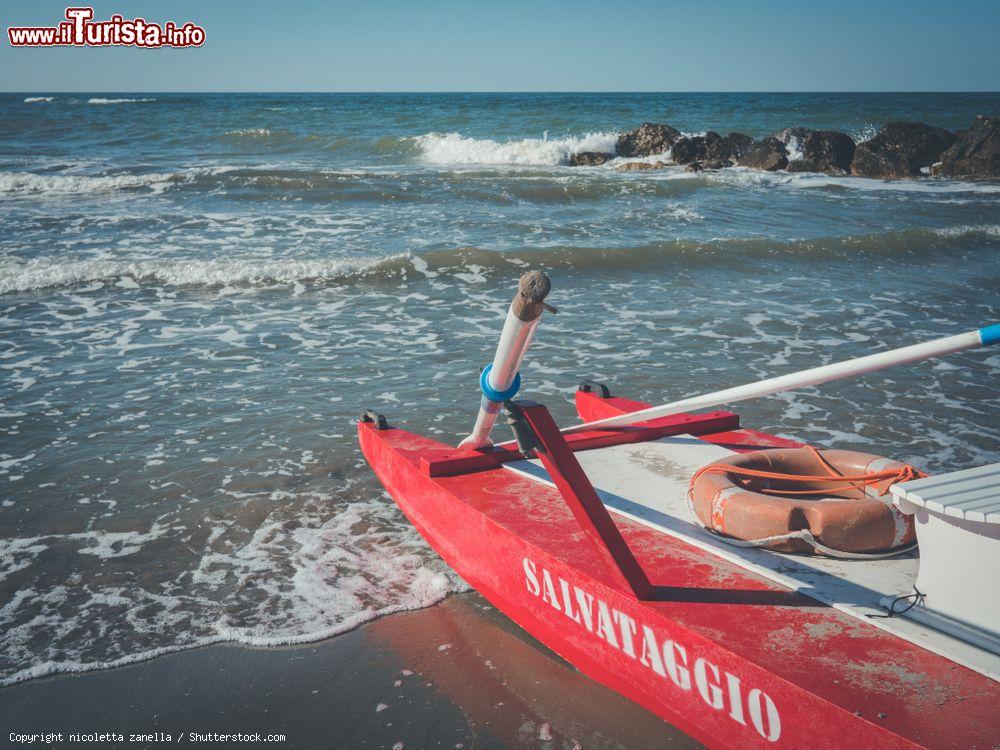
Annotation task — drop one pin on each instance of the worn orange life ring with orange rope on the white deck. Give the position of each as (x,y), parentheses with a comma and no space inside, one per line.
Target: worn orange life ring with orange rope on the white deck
(776,493)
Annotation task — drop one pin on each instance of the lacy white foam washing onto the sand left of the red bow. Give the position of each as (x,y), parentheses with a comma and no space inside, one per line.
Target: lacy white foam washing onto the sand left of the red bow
(313,582)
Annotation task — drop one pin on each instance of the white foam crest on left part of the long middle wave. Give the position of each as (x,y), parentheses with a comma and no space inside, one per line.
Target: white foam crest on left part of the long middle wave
(42,273)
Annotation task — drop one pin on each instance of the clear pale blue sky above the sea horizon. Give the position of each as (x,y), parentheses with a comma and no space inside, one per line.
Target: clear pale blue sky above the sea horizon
(629,45)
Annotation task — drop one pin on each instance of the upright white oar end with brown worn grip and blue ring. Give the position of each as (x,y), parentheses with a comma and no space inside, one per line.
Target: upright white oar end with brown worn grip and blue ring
(500,381)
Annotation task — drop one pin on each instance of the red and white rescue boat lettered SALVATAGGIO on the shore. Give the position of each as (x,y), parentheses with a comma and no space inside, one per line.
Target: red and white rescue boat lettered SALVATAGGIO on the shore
(739,646)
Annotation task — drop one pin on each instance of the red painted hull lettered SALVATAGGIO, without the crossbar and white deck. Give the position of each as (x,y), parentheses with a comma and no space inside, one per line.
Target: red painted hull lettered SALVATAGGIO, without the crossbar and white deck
(730,658)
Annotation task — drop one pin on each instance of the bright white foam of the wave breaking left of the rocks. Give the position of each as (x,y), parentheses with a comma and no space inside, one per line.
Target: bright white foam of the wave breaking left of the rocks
(453,148)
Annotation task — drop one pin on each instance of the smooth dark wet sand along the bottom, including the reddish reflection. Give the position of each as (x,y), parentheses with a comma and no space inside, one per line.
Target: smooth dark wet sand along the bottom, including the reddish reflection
(456,675)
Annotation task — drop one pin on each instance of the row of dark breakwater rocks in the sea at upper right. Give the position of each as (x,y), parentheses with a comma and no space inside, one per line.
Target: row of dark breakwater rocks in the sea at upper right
(898,150)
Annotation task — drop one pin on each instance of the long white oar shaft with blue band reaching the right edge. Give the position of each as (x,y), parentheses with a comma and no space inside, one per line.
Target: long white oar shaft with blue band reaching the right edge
(939,347)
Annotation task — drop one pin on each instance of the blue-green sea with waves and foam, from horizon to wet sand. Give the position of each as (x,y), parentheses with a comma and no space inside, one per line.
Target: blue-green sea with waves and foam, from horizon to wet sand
(199,294)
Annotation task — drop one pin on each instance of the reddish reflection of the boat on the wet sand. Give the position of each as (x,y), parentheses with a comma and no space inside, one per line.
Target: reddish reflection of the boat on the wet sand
(511,688)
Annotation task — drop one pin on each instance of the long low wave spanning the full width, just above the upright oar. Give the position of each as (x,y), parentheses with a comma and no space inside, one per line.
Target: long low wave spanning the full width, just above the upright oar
(45,273)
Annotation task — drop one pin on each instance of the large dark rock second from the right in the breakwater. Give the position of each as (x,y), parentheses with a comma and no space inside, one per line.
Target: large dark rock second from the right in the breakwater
(901,149)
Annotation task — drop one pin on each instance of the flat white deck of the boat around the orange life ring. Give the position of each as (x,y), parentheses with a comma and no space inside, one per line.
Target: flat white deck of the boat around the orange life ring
(648,483)
